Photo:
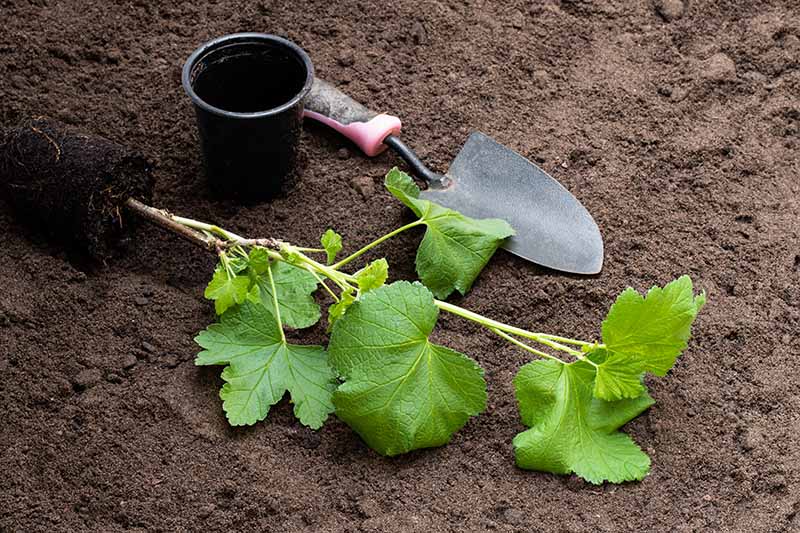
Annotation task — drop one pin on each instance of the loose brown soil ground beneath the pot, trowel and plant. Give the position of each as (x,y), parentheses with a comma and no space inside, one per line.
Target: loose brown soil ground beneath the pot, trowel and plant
(676,123)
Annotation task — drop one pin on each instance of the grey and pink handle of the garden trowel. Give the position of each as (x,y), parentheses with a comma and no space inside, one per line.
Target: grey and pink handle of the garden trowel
(367,129)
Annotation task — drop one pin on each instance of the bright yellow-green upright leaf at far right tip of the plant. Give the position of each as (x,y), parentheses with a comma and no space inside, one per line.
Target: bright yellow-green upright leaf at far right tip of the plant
(645,334)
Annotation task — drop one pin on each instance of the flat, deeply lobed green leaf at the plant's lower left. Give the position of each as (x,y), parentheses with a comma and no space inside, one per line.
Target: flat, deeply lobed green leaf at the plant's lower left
(262,366)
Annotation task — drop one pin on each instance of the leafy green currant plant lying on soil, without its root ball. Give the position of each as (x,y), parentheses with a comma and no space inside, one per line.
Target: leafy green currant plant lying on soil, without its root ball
(382,375)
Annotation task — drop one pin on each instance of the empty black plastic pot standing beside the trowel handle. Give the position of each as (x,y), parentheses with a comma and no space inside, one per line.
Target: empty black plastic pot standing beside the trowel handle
(248,91)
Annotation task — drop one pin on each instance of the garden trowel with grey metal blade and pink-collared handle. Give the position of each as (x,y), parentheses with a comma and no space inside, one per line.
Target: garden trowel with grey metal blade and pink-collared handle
(486,180)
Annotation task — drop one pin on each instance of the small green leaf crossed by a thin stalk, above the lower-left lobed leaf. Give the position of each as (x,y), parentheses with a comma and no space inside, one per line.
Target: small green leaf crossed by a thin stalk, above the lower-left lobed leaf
(295,288)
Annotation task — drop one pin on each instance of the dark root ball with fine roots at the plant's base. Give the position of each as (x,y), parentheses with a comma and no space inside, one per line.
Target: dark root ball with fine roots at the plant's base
(70,185)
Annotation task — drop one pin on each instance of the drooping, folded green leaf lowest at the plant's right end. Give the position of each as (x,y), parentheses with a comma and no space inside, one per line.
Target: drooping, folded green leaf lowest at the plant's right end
(572,431)
